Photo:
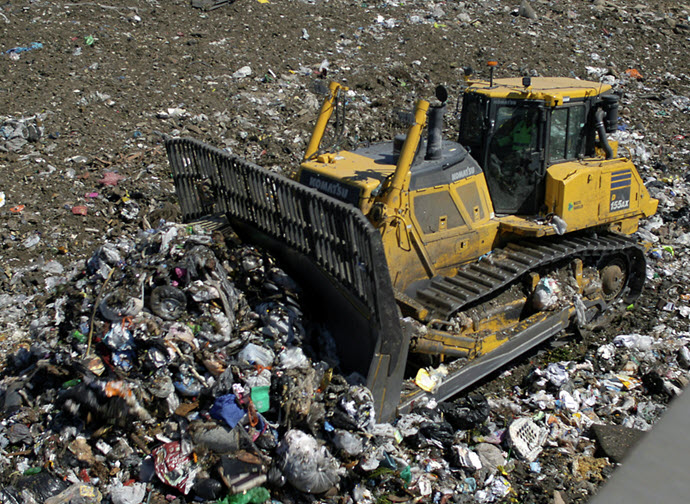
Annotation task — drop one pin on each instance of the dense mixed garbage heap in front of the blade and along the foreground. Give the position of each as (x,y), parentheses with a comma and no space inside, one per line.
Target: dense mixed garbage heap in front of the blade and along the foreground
(179,365)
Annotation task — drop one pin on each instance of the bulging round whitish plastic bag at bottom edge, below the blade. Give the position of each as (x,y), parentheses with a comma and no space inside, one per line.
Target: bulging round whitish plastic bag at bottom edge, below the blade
(308,467)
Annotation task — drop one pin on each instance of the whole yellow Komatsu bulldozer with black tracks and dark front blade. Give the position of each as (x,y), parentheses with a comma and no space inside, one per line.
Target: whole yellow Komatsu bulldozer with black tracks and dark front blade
(424,253)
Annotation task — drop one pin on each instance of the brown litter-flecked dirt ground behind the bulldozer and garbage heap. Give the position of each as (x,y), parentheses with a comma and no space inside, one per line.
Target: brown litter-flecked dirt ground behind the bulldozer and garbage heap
(111,77)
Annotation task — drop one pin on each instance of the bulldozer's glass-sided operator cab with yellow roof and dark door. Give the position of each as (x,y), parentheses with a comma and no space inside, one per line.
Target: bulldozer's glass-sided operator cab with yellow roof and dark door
(517,128)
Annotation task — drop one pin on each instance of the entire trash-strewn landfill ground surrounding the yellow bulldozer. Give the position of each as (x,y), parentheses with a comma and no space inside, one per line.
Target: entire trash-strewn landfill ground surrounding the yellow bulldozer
(144,360)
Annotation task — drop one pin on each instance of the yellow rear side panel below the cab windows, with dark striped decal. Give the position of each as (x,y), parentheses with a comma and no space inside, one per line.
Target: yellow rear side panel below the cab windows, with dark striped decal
(595,192)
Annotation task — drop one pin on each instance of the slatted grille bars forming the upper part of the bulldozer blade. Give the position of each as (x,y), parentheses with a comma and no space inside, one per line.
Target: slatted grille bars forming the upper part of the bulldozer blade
(333,234)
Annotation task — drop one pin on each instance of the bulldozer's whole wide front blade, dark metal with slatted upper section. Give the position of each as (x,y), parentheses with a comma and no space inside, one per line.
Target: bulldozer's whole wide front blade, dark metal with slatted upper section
(329,246)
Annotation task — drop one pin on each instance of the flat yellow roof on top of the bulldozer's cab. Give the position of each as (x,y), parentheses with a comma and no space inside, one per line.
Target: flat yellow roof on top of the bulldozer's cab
(552,90)
